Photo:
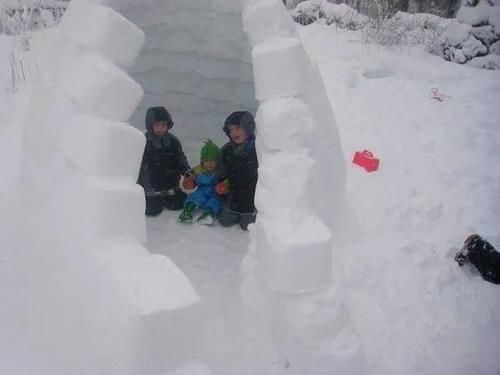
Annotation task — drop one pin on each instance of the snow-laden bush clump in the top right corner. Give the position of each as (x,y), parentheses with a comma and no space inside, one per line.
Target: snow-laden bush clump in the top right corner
(475,39)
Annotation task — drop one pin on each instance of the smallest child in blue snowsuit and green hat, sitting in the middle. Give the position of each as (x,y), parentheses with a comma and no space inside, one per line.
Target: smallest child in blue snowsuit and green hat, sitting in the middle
(201,187)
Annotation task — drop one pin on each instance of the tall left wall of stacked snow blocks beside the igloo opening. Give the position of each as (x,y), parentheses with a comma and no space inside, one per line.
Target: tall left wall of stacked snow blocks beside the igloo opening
(75,265)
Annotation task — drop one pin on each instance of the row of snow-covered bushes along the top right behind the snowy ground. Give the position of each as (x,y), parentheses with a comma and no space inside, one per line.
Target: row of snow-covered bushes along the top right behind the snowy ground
(474,34)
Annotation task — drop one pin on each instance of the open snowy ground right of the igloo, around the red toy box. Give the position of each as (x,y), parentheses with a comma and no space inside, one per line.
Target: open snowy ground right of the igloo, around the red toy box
(401,282)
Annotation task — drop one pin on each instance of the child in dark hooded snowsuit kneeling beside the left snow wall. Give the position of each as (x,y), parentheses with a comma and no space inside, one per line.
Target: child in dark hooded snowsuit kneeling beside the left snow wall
(163,163)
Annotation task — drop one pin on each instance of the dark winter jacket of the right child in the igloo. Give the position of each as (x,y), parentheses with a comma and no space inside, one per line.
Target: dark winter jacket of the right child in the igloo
(240,167)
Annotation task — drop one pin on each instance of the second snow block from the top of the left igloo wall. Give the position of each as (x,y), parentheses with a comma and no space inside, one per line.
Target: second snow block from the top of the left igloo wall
(99,88)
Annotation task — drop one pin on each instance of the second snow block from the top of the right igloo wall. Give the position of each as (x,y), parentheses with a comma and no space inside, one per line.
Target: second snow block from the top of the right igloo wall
(279,67)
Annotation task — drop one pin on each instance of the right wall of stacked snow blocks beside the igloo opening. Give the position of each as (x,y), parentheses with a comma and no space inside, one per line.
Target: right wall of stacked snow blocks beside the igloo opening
(301,189)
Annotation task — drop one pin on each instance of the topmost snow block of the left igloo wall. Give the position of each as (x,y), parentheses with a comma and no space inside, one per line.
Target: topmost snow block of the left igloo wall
(104,30)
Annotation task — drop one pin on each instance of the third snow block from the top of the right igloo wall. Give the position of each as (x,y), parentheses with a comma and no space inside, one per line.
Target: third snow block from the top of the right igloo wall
(285,123)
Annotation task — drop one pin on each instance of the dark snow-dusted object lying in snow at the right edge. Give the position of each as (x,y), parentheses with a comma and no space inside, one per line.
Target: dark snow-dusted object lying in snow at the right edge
(482,255)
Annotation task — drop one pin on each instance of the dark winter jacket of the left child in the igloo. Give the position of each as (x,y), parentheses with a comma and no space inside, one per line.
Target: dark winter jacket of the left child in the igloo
(163,162)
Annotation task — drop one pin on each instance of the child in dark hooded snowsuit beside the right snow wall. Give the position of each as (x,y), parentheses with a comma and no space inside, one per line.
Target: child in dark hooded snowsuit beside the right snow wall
(239,162)
